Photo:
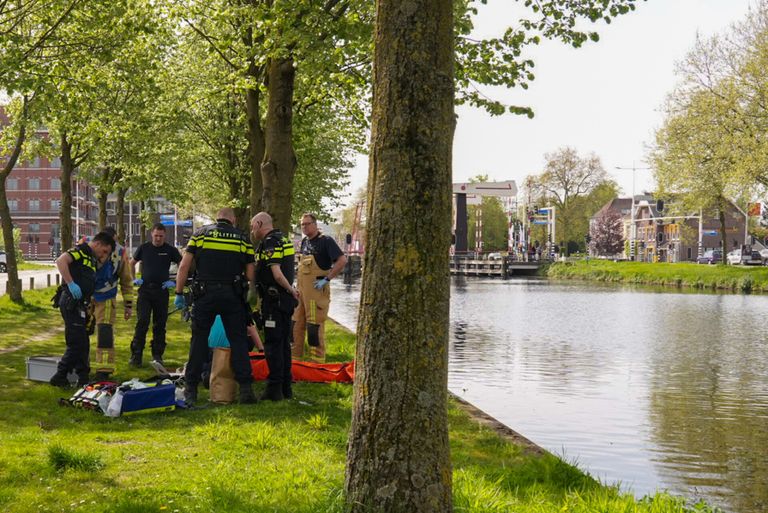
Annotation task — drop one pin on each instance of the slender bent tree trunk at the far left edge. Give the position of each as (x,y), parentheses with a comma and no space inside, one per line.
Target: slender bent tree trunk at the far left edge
(14,284)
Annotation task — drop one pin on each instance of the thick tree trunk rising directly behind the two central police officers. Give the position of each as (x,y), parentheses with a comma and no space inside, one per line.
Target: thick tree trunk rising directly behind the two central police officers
(279,164)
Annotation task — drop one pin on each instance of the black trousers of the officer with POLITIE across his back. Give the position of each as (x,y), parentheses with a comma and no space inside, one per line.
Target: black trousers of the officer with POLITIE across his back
(219,298)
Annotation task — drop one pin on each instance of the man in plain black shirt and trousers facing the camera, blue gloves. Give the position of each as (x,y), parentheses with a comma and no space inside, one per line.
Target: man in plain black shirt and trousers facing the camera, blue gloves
(155,257)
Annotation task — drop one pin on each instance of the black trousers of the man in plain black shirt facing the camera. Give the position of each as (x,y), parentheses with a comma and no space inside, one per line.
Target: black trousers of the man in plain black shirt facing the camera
(152,301)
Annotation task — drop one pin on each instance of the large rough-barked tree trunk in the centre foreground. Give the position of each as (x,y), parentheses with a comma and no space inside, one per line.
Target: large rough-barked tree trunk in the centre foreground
(398,457)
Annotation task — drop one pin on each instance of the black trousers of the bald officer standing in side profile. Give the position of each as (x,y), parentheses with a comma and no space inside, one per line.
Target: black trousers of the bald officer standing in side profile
(277,339)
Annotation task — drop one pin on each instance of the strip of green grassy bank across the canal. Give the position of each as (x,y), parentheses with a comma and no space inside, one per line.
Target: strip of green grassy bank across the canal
(714,277)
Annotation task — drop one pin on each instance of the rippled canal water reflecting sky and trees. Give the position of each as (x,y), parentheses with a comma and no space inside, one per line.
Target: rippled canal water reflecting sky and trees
(654,390)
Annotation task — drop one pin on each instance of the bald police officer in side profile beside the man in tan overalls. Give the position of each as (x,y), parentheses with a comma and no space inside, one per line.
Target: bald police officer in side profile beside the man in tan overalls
(274,274)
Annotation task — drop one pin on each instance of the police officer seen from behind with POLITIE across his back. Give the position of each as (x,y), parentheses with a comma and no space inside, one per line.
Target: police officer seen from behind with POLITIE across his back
(223,258)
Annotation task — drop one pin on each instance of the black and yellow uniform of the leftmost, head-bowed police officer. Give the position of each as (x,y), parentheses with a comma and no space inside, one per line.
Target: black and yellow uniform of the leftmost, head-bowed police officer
(74,312)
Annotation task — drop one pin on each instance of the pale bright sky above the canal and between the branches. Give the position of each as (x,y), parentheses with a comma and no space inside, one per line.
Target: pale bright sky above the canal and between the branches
(604,98)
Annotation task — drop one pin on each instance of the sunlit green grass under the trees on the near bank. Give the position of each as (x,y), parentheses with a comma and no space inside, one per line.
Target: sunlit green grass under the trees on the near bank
(271,457)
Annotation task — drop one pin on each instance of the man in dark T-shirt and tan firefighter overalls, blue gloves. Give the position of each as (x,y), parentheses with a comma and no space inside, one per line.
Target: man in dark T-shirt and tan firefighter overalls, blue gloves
(320,260)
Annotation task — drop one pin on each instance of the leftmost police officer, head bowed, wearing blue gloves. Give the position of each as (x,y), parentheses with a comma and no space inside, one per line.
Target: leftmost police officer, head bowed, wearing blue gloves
(78,271)
